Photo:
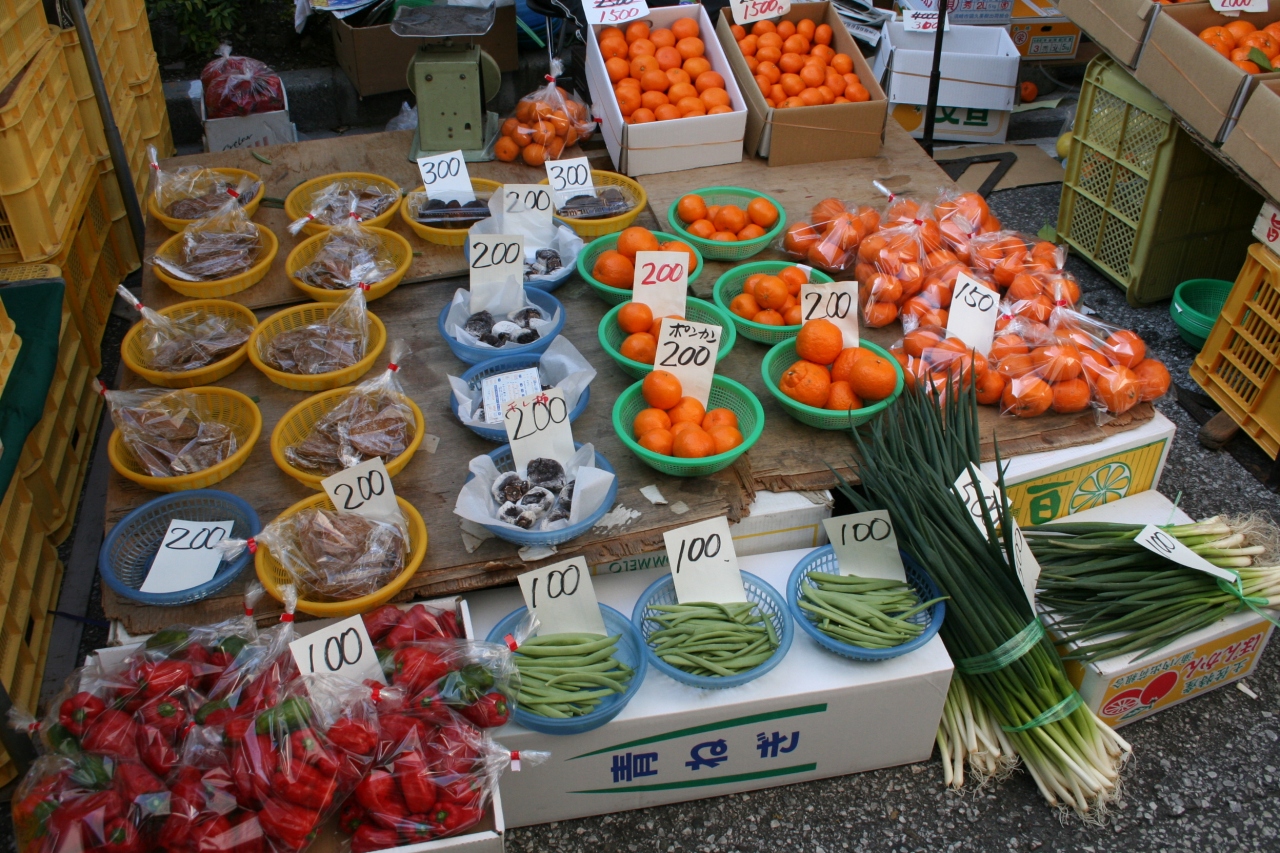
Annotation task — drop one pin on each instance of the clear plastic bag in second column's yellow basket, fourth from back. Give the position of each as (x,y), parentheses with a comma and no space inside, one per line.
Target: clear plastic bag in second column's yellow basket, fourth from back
(376,419)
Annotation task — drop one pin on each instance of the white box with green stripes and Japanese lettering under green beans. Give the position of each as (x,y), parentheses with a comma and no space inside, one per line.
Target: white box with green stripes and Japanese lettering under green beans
(816,715)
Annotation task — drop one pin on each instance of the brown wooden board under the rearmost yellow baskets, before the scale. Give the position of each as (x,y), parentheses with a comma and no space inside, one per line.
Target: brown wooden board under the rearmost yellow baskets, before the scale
(385,154)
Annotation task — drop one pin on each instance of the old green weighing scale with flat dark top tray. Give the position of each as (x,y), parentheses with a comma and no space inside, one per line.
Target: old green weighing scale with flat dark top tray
(454,80)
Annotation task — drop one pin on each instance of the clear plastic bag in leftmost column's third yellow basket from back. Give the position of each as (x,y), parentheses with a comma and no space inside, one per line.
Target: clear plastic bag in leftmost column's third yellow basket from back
(186,341)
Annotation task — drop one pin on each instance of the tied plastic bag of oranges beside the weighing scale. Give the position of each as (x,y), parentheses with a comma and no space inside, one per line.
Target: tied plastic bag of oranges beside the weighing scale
(547,122)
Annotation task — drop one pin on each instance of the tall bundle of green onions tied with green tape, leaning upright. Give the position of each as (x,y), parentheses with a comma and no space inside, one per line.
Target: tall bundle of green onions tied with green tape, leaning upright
(908,466)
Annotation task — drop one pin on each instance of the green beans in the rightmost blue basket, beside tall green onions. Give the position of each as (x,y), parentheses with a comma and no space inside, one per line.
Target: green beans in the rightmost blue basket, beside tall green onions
(863,612)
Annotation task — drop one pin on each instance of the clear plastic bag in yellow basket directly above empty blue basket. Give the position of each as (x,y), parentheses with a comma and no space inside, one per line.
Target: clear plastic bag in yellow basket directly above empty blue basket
(164,432)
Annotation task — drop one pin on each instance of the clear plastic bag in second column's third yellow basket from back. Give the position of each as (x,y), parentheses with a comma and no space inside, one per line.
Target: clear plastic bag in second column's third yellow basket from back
(333,344)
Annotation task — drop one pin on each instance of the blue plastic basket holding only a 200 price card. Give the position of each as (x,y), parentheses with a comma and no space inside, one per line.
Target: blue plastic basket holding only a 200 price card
(132,545)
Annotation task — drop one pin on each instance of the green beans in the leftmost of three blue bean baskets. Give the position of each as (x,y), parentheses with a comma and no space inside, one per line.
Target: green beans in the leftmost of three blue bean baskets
(569,676)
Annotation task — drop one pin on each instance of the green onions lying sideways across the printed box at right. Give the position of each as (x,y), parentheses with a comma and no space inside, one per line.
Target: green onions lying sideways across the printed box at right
(1109,596)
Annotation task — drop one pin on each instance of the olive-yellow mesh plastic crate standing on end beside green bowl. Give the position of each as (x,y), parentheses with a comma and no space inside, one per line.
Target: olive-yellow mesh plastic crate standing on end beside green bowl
(1141,200)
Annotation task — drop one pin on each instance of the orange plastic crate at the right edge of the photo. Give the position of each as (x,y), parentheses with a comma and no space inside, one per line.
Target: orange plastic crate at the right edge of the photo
(1241,361)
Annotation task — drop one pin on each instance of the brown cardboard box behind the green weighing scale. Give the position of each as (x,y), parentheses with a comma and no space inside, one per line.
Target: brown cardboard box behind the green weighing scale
(376,60)
